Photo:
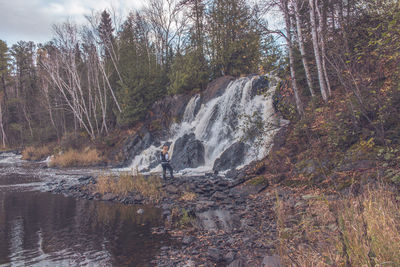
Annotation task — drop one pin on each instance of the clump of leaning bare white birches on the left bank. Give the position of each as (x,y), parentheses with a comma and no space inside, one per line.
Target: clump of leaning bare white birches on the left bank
(84,92)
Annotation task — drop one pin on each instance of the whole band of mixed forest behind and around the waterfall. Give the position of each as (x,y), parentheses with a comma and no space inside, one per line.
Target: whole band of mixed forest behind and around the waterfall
(103,76)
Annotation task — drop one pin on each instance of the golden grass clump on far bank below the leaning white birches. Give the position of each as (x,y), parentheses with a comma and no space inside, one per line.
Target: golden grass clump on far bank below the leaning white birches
(75,158)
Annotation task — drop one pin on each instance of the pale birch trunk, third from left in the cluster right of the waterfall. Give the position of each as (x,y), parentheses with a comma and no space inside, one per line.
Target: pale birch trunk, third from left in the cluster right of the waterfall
(317,52)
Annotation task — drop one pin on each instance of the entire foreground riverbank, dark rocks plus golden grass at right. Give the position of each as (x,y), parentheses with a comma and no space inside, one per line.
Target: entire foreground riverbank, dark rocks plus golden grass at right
(244,221)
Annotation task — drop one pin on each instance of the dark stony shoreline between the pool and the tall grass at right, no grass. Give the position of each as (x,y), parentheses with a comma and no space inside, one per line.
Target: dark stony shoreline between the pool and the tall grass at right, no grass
(227,223)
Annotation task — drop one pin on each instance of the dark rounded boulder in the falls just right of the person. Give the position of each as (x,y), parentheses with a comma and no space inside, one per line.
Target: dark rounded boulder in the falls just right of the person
(188,153)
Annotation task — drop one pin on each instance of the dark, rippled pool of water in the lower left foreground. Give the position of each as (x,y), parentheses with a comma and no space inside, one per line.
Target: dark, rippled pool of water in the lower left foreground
(51,230)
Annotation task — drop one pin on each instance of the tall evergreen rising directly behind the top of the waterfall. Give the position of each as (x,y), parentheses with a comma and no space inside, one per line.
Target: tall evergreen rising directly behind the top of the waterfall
(233,38)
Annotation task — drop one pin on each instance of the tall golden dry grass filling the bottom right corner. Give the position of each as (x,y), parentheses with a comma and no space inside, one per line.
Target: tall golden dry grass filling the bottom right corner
(370,226)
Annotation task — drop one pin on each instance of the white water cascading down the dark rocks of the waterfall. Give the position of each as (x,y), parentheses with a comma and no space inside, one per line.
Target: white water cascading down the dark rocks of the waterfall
(218,124)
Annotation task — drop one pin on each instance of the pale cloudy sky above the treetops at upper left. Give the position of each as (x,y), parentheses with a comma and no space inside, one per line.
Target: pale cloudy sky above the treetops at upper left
(32,20)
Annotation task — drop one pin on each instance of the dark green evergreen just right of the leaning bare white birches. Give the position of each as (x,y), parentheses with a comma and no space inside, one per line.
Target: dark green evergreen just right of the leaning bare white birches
(143,77)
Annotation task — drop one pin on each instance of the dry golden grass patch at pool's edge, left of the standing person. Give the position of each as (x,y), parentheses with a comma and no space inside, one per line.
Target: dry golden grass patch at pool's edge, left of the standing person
(149,187)
